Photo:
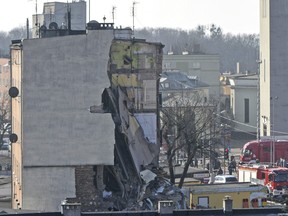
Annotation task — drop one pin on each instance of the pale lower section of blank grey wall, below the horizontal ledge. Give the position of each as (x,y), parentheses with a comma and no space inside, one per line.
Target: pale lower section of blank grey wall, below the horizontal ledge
(44,189)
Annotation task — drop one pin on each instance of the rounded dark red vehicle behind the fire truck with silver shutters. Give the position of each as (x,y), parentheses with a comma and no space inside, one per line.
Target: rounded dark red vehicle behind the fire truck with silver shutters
(264,149)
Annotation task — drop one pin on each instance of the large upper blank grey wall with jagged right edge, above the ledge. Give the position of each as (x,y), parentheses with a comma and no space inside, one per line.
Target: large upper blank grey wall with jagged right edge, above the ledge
(62,78)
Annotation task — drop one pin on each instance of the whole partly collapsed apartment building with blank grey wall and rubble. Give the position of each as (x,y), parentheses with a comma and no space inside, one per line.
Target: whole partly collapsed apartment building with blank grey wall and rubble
(85,124)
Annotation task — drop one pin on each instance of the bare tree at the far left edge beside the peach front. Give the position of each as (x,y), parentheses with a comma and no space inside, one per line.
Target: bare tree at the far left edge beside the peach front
(5,115)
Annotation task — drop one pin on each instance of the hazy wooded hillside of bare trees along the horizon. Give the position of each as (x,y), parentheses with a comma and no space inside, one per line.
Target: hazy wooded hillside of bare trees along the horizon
(206,40)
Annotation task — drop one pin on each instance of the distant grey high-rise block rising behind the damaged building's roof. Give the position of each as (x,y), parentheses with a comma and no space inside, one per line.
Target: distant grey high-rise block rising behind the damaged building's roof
(60,15)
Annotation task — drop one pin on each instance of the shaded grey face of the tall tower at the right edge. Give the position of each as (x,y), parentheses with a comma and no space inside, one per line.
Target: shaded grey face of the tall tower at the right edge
(279,64)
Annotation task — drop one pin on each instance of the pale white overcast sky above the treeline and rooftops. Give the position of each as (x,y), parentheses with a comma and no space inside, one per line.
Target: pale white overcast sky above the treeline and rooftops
(233,16)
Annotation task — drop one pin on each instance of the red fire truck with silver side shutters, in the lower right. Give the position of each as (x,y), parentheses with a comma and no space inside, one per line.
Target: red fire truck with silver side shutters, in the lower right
(275,178)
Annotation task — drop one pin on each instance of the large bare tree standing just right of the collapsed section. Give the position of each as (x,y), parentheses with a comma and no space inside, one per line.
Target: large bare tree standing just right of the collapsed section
(186,123)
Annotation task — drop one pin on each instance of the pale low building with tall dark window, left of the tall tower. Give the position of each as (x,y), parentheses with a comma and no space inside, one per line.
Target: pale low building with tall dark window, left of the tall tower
(239,97)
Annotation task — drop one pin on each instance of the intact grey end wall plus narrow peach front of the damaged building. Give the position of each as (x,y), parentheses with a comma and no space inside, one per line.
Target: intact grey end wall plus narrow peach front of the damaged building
(58,79)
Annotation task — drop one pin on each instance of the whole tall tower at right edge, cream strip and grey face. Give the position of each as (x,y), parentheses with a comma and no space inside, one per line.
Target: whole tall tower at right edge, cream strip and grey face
(273,67)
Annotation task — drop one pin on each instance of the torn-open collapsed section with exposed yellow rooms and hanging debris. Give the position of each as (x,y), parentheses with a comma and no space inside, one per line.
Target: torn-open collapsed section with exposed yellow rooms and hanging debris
(132,99)
